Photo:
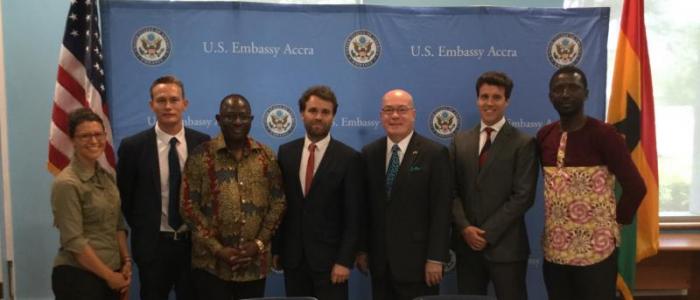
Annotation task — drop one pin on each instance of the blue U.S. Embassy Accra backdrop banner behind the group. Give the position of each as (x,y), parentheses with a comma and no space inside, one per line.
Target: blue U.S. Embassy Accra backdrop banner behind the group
(271,53)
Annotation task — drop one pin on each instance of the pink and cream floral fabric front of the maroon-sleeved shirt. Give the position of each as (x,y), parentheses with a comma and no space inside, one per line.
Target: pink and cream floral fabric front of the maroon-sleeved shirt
(580,227)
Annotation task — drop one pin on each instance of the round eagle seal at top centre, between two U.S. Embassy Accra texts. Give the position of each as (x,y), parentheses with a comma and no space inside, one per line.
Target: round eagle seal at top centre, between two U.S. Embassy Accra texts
(362,49)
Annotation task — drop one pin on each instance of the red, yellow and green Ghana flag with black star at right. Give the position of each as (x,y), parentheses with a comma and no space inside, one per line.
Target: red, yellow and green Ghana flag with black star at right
(631,111)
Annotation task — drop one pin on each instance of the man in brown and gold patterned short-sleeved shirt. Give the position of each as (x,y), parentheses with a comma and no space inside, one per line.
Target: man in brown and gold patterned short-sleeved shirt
(232,198)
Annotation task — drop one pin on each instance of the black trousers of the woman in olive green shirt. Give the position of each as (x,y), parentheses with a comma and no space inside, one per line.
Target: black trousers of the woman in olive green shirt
(71,283)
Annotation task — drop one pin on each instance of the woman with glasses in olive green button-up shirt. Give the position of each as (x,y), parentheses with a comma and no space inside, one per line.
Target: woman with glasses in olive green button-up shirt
(93,260)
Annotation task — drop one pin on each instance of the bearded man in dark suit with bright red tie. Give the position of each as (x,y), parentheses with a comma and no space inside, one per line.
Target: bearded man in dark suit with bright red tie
(317,240)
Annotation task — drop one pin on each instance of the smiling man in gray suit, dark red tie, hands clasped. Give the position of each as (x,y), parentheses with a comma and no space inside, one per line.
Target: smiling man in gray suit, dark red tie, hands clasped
(495,169)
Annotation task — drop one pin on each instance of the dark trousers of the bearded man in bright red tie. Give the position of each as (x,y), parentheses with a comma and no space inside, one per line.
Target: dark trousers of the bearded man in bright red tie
(302,281)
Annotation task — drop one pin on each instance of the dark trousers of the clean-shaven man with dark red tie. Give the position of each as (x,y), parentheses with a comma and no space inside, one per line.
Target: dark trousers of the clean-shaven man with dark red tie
(474,273)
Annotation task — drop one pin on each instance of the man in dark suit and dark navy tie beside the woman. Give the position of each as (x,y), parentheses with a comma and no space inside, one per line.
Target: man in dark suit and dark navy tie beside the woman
(148,176)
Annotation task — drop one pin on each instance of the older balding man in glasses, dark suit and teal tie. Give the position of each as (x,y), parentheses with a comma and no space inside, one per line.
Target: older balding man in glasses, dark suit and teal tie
(409,198)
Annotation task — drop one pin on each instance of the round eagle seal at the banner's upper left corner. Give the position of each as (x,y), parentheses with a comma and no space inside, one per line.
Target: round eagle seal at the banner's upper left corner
(151,46)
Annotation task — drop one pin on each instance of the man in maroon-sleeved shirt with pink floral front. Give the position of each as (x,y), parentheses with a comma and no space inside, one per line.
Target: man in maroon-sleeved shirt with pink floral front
(582,158)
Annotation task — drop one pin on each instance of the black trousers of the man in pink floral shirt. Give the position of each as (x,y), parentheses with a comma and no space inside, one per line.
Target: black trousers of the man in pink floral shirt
(594,282)
